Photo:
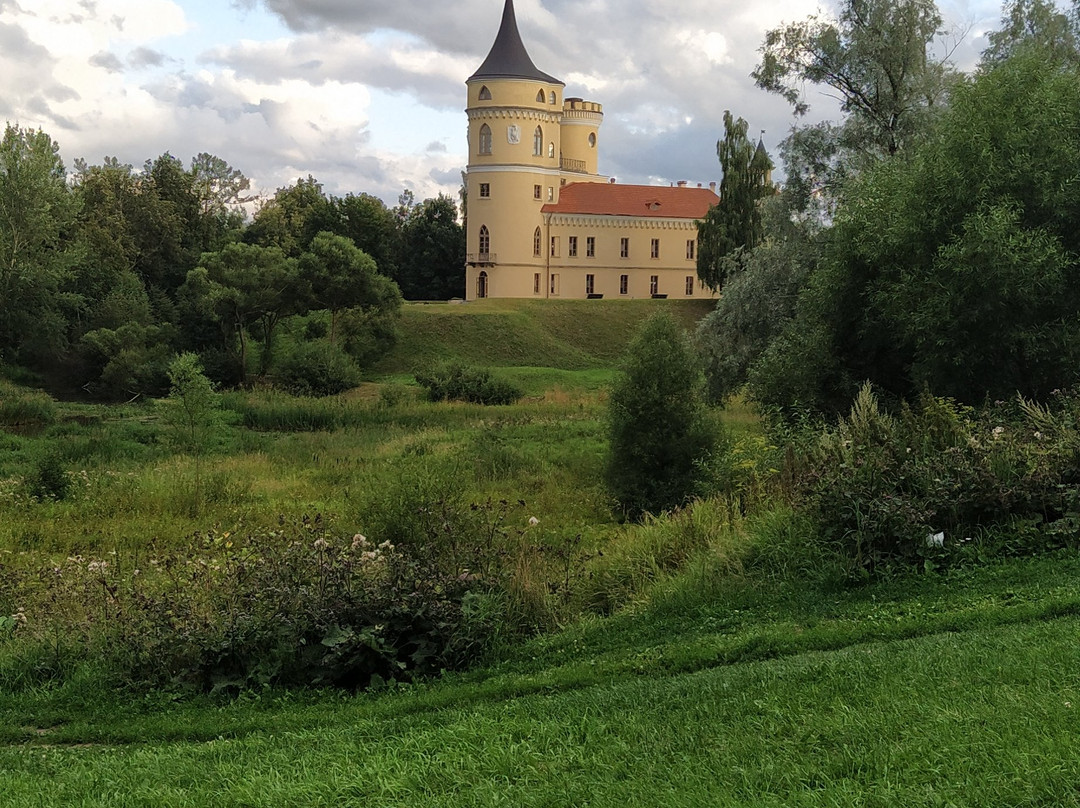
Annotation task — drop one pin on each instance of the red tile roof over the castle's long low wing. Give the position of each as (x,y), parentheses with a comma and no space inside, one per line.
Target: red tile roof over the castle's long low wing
(605,199)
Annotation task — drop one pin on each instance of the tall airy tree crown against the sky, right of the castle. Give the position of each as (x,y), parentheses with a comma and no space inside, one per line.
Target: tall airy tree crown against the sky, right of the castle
(874,57)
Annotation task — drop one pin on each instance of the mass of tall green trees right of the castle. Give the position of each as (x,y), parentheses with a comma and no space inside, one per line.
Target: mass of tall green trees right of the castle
(929,240)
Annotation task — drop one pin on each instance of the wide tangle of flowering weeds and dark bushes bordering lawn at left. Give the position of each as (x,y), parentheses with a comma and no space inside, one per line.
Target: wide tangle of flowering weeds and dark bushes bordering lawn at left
(298,607)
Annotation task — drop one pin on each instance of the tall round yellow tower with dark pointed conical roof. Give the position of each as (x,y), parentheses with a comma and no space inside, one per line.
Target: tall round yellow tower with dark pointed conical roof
(516,144)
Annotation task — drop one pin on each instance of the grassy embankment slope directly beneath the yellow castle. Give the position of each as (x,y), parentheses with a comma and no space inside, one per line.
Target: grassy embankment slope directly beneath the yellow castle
(568,335)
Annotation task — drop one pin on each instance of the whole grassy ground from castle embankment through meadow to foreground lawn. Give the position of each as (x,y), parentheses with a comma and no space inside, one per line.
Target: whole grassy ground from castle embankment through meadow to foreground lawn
(700,658)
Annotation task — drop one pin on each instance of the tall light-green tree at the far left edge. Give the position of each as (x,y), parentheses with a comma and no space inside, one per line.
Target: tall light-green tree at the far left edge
(37,212)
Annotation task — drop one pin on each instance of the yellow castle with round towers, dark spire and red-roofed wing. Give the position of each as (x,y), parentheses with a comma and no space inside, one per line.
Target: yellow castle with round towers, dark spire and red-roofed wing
(543,222)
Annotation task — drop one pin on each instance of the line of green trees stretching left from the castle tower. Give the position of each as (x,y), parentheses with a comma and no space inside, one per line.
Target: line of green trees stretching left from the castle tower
(109,272)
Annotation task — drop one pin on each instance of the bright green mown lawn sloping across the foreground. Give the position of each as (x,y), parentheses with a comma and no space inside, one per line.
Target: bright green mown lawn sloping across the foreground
(955,691)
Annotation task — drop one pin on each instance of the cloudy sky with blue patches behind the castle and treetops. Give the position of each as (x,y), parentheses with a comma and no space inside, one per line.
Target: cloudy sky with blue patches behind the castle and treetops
(369,96)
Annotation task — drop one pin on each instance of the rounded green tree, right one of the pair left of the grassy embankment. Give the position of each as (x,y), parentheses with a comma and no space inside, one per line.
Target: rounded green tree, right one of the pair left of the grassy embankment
(337,276)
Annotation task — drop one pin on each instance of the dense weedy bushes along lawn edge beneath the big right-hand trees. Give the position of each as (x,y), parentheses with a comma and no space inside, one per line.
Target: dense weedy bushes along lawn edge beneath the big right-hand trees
(929,484)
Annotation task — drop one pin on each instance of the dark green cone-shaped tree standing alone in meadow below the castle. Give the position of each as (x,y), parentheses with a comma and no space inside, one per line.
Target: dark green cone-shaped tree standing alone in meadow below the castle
(663,439)
